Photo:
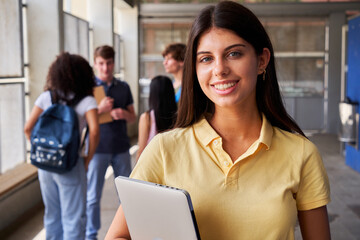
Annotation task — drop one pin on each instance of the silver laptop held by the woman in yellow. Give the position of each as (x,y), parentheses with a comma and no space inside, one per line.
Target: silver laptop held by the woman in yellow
(156,212)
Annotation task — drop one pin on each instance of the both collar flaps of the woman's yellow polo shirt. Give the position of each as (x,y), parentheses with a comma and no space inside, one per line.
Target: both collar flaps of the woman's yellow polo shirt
(206,134)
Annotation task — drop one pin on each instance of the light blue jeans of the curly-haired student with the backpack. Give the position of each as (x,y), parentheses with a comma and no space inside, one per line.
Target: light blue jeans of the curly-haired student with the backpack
(64,197)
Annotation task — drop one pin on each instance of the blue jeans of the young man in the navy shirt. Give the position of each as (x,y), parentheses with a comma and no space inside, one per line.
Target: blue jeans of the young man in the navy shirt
(96,172)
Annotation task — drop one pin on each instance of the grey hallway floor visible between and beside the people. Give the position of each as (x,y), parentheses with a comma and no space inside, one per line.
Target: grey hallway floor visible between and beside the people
(344,209)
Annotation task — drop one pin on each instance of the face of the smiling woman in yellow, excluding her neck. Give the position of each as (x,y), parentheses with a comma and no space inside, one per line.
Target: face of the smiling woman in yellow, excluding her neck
(227,68)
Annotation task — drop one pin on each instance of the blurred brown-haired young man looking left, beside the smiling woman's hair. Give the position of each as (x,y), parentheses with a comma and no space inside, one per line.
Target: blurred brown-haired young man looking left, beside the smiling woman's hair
(173,63)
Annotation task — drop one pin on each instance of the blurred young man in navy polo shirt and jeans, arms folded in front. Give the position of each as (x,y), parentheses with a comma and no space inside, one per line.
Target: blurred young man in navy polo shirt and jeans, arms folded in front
(113,148)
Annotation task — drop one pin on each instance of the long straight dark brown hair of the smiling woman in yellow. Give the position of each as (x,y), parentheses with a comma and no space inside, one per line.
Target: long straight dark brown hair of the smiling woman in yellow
(240,20)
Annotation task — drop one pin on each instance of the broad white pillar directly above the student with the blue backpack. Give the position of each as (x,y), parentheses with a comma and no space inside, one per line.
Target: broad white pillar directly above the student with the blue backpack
(45,41)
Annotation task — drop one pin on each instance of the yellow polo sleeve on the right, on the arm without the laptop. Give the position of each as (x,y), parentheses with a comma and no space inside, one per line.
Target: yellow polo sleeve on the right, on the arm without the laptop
(314,188)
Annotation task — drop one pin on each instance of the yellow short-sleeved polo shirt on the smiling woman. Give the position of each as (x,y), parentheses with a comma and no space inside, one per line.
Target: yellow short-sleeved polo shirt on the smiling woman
(256,197)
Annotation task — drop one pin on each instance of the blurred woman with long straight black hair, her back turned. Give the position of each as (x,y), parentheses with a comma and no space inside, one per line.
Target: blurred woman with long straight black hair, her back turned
(161,114)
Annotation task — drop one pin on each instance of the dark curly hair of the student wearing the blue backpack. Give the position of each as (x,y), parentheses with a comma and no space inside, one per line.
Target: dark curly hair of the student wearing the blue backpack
(70,74)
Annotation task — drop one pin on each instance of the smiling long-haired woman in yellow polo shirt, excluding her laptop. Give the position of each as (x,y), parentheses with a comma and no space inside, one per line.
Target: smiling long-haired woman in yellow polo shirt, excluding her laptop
(248,167)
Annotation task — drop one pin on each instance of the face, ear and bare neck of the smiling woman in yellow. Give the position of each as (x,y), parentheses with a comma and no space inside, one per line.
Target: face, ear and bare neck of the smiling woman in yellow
(227,68)
